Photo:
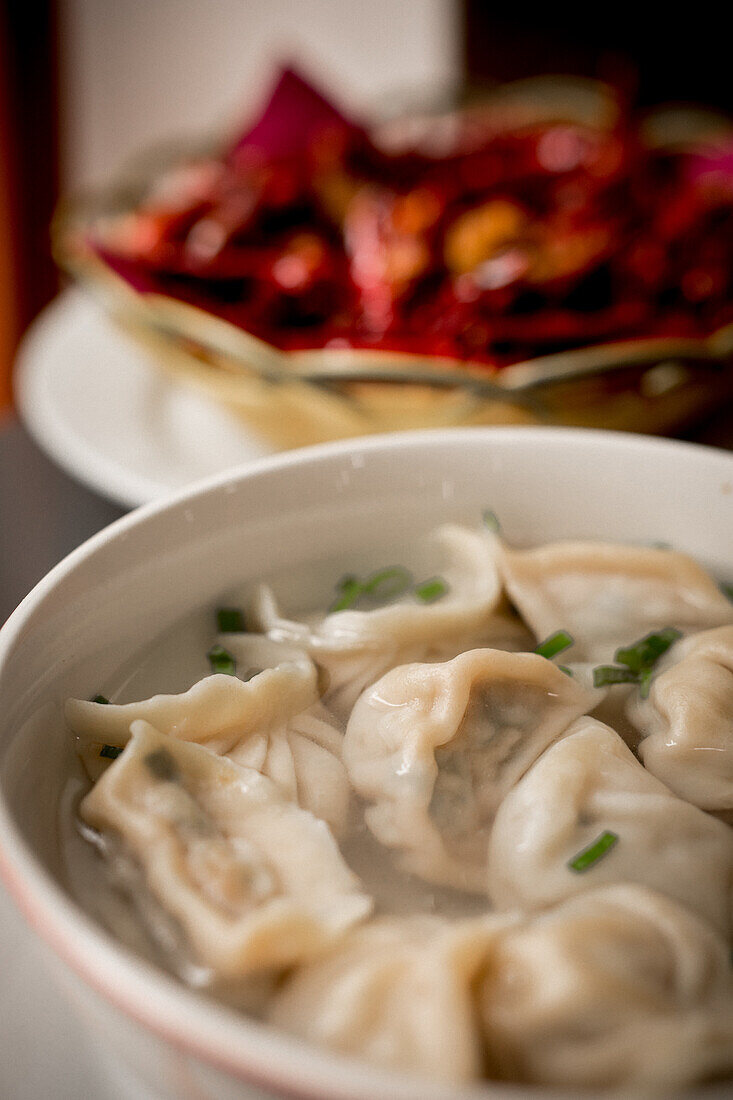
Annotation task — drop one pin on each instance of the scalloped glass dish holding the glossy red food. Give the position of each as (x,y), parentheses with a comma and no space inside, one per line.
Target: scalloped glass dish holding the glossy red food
(299,398)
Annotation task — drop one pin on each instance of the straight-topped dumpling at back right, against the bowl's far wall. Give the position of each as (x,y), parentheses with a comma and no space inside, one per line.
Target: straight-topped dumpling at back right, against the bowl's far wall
(608,596)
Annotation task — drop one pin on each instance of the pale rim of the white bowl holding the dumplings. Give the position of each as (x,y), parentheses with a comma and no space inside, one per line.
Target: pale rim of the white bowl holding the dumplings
(246,1050)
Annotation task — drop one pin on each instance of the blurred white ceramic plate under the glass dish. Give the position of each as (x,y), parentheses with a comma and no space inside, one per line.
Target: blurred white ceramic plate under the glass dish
(93,402)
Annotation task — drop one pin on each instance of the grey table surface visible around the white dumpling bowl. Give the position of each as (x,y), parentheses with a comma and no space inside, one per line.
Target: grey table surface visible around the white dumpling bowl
(45,515)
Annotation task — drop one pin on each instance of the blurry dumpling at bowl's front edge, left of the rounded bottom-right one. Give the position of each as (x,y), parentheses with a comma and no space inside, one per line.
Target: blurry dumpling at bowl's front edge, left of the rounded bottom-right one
(398,994)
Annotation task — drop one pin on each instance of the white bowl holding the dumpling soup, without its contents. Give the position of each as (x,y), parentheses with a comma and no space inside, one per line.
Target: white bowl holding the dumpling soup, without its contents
(134,580)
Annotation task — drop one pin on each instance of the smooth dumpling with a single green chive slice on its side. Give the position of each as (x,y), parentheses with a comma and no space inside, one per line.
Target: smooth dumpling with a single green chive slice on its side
(589,797)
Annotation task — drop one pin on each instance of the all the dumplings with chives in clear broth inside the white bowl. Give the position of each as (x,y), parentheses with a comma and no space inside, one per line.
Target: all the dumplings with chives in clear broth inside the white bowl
(467,822)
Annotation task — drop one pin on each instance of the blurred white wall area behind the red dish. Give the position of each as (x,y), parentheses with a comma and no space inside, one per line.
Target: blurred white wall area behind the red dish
(137,72)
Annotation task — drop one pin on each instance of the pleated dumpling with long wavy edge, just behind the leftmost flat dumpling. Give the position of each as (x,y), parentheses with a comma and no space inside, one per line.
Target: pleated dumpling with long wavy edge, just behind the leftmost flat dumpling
(272,722)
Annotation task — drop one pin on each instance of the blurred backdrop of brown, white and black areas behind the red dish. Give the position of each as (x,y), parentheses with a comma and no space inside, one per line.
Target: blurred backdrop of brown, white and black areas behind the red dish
(87,84)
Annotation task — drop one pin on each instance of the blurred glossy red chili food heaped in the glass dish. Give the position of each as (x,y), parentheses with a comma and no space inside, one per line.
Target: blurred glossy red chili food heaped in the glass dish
(508,245)
